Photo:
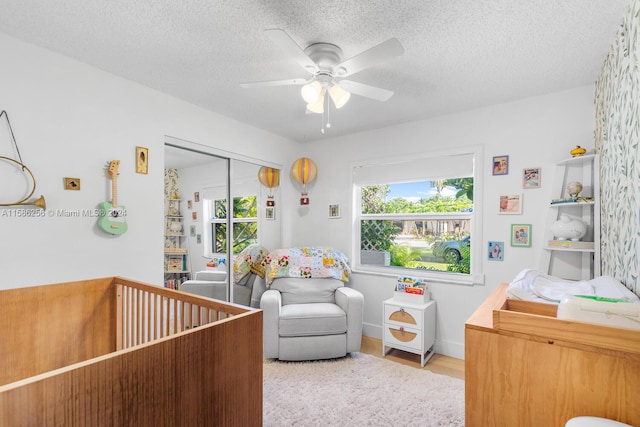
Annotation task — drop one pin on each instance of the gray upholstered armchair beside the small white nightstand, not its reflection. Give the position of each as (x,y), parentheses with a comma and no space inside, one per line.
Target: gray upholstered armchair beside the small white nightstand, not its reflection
(308,319)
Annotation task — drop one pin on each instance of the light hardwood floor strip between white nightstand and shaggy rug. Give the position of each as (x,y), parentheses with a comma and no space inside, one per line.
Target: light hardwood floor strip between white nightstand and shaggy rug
(438,364)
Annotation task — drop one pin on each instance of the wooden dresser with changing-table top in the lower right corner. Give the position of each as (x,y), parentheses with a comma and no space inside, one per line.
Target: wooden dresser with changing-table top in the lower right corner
(525,367)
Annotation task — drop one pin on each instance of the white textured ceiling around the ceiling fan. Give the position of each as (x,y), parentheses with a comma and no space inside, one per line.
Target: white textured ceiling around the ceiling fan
(459,54)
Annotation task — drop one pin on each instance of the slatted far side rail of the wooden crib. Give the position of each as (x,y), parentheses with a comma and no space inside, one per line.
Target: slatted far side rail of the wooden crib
(146,313)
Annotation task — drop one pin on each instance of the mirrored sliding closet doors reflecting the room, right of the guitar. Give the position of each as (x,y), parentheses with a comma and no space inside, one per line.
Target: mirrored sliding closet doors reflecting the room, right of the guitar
(214,206)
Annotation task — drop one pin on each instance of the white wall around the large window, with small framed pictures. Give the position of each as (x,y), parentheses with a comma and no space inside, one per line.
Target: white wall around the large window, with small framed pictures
(535,132)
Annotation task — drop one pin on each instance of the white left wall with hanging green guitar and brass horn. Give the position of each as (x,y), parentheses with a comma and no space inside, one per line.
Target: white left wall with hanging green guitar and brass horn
(70,119)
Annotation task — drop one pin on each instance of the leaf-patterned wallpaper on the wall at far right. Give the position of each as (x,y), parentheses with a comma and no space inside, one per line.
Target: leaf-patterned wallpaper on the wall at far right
(617,102)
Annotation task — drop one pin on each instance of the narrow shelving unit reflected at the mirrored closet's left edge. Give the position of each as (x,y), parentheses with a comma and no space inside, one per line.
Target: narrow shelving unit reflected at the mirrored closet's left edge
(176,253)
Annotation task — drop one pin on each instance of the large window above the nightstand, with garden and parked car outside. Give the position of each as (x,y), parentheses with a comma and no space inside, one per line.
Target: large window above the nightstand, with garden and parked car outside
(417,216)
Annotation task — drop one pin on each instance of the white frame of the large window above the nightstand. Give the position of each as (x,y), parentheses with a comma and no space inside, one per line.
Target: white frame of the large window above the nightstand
(476,275)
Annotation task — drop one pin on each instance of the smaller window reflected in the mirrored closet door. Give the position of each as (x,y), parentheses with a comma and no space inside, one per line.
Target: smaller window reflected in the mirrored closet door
(244,222)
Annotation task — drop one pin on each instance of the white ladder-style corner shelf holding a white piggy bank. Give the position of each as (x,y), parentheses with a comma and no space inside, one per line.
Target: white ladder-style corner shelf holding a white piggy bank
(580,260)
